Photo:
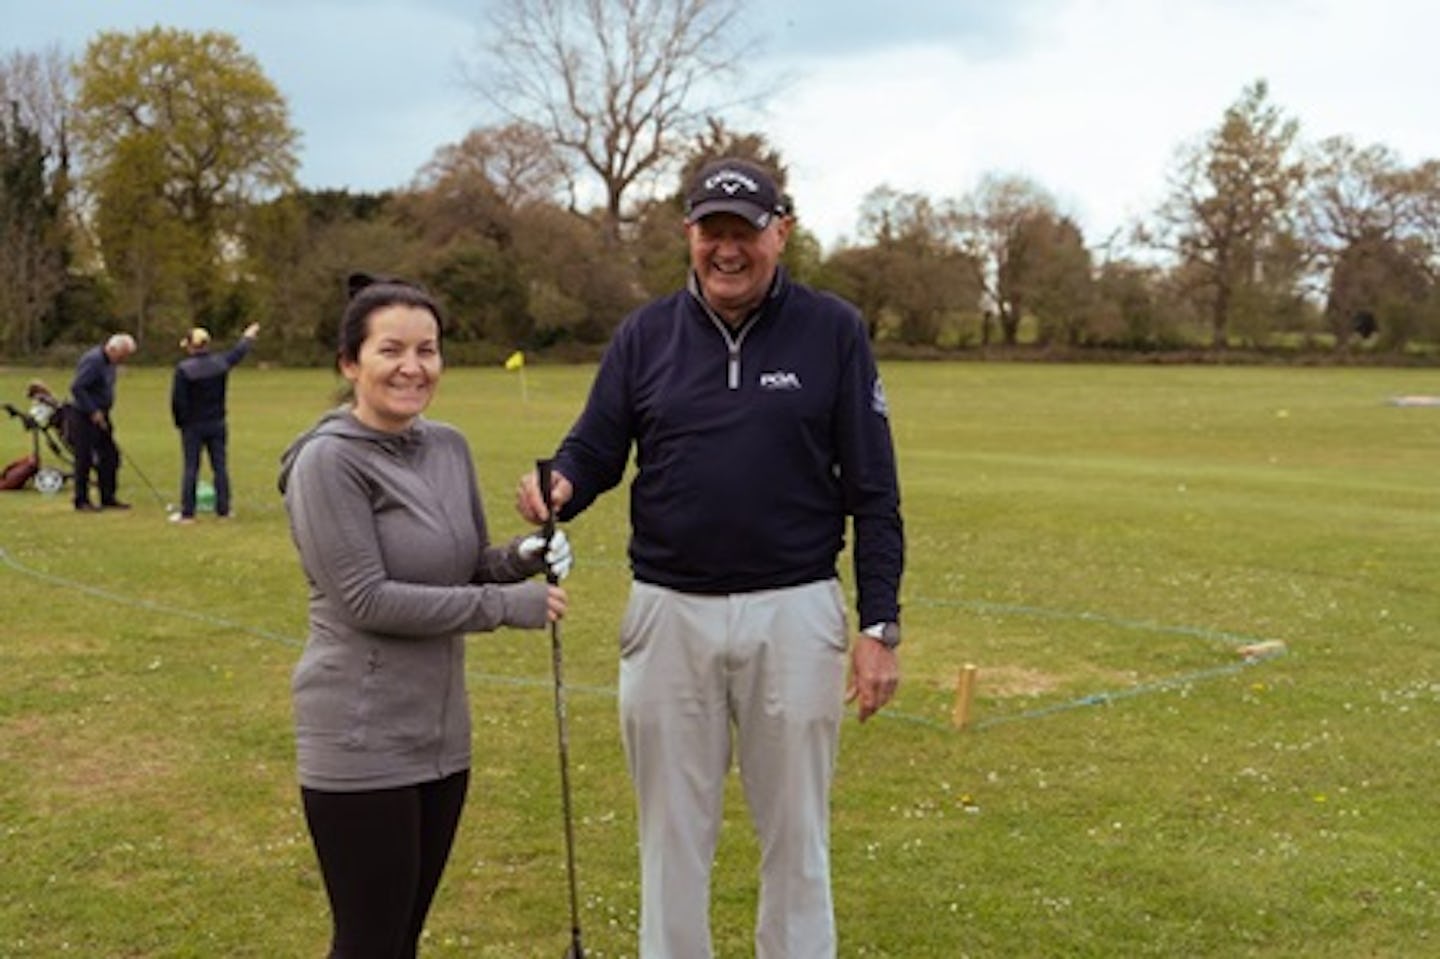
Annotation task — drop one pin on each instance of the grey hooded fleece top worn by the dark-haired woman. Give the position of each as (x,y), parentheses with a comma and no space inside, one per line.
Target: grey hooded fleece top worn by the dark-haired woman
(392,539)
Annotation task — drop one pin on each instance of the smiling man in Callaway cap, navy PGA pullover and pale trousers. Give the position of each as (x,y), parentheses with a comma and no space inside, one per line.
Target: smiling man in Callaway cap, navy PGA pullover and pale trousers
(761,427)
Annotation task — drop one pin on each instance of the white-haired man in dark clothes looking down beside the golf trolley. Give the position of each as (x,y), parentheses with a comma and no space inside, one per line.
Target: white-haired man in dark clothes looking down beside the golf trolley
(93,395)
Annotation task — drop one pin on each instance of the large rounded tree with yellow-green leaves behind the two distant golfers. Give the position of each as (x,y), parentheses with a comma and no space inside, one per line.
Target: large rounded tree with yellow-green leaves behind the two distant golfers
(179,133)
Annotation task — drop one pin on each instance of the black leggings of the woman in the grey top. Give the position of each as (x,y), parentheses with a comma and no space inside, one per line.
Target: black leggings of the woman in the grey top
(382,855)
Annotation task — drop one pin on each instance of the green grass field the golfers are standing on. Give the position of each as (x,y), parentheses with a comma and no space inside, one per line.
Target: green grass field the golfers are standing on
(1101,542)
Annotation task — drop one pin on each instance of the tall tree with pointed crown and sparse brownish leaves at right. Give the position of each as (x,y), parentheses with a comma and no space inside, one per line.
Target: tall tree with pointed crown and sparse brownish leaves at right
(1232,208)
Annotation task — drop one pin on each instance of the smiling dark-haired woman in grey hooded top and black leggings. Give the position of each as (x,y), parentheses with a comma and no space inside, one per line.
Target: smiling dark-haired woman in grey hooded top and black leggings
(387,516)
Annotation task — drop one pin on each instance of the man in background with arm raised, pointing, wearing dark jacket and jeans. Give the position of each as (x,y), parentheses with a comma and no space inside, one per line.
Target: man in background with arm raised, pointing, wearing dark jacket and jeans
(198,408)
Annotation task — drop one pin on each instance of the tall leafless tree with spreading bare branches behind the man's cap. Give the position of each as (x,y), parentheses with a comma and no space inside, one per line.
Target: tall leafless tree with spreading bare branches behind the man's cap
(611,81)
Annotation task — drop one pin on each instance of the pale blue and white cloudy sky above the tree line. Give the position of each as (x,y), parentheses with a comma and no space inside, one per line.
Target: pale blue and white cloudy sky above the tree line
(1089,99)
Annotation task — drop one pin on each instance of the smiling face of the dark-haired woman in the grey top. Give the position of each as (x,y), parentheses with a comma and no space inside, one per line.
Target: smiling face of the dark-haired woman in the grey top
(398,369)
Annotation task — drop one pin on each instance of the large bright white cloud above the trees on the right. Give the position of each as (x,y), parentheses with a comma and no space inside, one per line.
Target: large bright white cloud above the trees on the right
(1095,99)
